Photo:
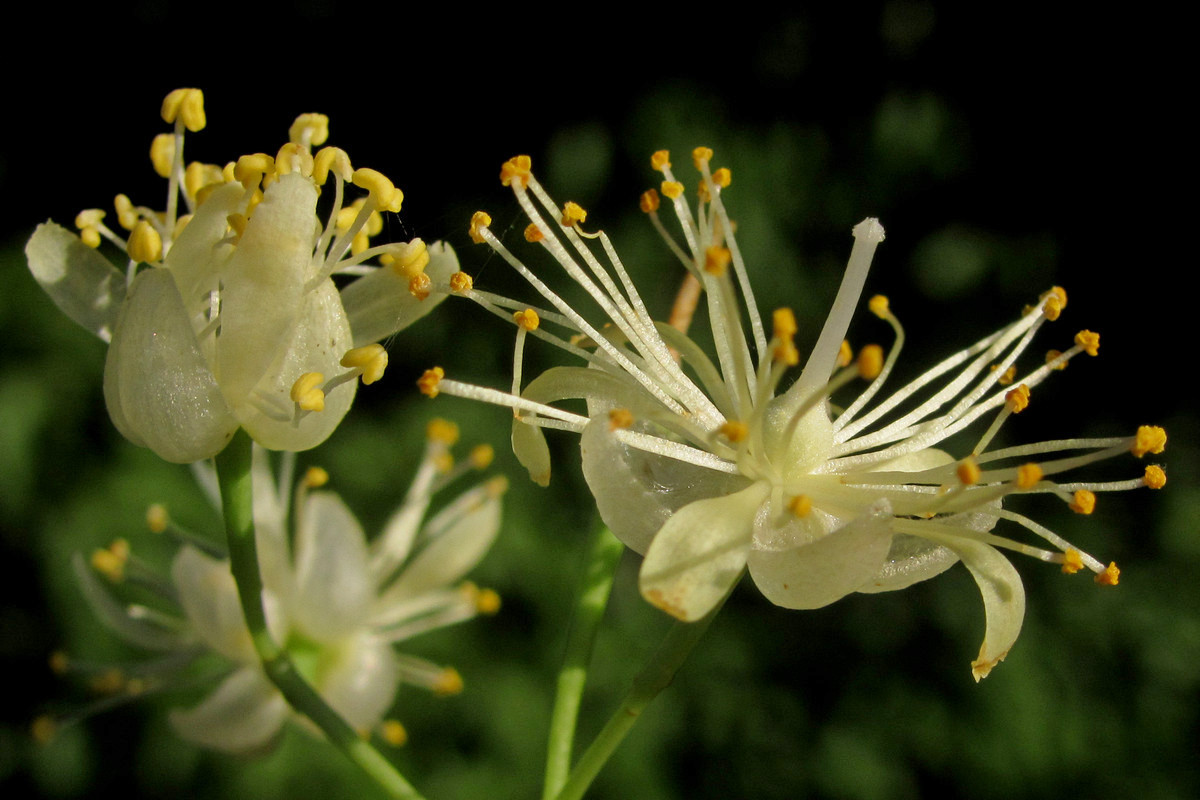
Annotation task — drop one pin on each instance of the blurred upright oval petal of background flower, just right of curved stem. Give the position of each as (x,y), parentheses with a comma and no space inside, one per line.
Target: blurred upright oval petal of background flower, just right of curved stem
(333,587)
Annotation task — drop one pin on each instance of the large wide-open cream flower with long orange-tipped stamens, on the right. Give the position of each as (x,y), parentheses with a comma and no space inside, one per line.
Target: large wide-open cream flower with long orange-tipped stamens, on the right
(712,468)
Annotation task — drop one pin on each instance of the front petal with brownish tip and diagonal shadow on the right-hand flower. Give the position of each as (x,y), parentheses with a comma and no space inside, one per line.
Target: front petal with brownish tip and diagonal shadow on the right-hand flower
(697,558)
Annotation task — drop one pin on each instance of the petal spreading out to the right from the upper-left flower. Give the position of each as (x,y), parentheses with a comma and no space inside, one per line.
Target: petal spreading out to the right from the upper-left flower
(380,303)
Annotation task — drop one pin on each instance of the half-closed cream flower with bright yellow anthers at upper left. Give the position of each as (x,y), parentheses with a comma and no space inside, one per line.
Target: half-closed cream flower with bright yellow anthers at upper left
(236,321)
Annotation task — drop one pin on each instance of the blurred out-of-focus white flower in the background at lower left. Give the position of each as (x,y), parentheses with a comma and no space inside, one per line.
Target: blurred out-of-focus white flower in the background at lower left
(337,603)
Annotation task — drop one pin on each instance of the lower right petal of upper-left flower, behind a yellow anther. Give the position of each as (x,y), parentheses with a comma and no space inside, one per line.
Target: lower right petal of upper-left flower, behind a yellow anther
(320,339)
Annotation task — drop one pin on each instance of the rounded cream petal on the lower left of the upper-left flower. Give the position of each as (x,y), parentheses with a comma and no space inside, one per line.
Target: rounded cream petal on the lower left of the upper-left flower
(158,387)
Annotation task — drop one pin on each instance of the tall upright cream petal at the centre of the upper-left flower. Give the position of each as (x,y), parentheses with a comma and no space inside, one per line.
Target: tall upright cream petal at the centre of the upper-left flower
(265,285)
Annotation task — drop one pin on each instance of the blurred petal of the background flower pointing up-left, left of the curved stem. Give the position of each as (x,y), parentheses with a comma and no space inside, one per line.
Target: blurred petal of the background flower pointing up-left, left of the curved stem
(209,597)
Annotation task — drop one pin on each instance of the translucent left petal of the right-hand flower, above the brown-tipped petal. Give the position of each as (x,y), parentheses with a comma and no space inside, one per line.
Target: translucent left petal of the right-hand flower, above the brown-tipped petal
(637,492)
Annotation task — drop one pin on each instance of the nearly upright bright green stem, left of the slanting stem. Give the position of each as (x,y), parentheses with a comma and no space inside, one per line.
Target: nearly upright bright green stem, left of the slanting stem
(604,555)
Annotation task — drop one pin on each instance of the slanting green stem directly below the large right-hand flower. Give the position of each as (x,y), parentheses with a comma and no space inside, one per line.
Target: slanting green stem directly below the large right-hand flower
(656,676)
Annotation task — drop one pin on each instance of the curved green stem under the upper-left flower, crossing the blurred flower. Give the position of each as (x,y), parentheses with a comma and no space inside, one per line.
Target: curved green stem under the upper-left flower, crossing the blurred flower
(237,497)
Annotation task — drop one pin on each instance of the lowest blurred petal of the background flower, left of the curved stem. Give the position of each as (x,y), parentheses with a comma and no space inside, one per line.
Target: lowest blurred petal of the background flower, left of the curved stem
(243,714)
